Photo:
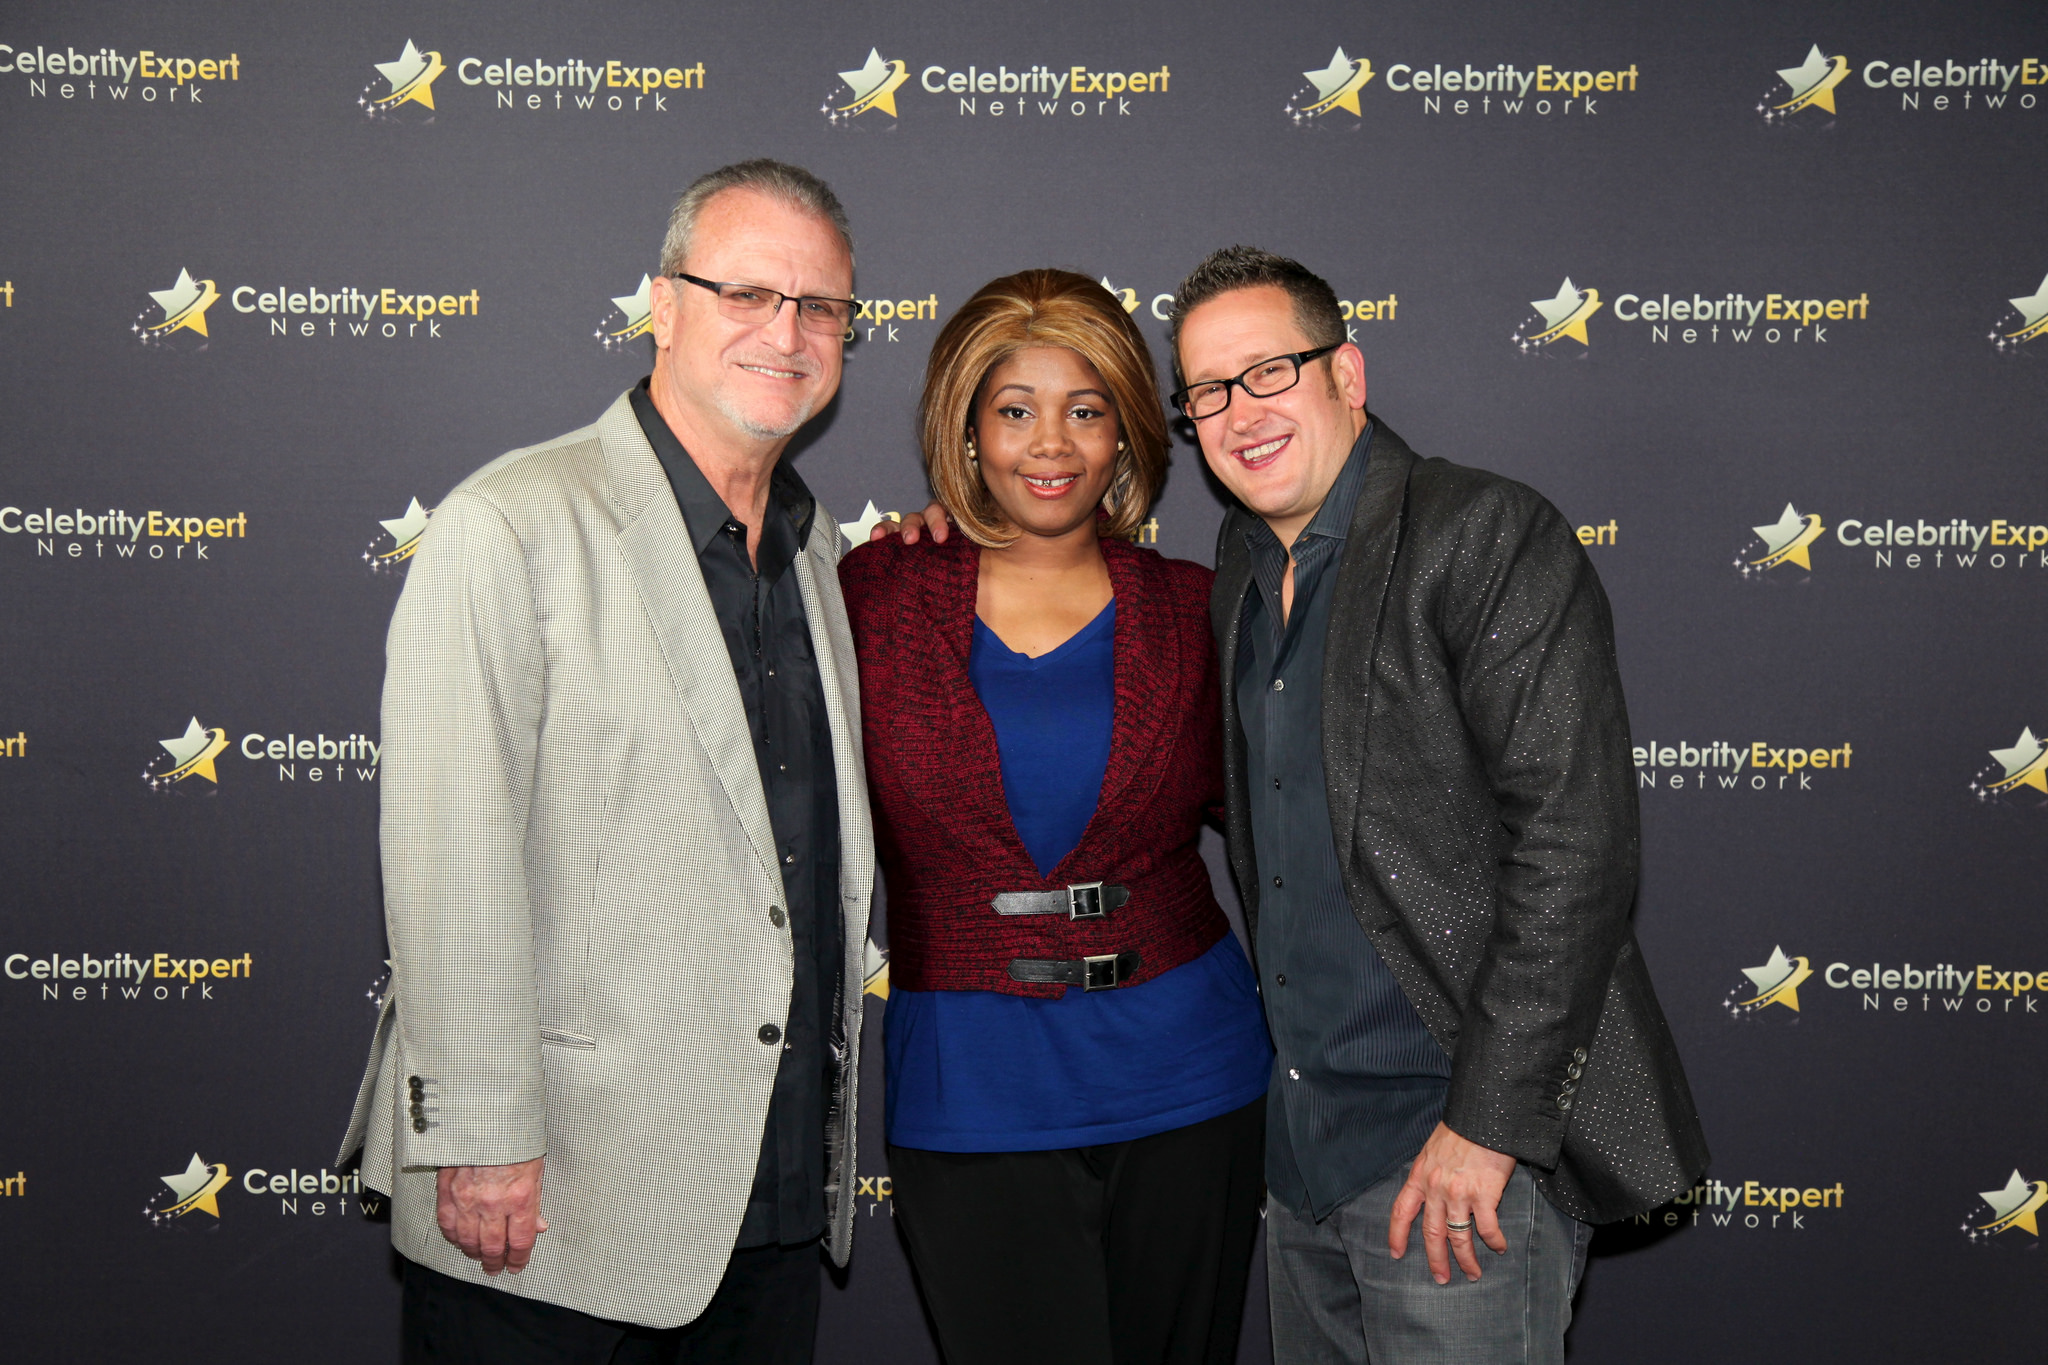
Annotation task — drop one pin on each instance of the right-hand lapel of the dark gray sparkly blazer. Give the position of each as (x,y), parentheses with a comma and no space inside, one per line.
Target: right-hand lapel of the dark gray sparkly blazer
(1355,627)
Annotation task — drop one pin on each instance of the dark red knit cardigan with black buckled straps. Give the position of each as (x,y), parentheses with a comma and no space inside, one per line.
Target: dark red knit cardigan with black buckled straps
(943,824)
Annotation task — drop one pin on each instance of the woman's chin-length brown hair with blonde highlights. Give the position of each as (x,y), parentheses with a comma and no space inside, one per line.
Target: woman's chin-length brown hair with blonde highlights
(1039,308)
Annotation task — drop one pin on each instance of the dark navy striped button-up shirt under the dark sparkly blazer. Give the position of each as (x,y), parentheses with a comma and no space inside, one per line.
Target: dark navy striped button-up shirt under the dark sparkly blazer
(1359,1082)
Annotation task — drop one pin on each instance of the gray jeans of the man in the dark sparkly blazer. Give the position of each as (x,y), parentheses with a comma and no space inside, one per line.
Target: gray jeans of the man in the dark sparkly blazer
(1340,1298)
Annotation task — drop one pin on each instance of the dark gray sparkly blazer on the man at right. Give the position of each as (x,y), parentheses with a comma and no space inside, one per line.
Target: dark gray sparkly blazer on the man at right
(1482,795)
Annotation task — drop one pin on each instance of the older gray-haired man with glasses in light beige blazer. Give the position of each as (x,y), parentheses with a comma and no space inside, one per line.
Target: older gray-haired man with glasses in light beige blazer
(626,846)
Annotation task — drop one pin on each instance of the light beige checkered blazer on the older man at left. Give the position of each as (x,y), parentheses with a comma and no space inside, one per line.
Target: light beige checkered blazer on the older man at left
(579,883)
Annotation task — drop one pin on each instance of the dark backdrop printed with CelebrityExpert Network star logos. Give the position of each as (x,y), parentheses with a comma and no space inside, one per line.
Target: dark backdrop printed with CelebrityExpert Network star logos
(1756,296)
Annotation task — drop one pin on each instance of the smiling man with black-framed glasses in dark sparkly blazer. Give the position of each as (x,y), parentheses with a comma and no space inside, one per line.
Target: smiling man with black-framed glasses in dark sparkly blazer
(1433,822)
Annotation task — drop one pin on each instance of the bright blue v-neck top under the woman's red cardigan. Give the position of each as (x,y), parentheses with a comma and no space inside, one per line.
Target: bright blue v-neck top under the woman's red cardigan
(976,1071)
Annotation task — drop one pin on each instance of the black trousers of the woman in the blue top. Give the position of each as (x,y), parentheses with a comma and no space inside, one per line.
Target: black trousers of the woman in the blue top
(1132,1253)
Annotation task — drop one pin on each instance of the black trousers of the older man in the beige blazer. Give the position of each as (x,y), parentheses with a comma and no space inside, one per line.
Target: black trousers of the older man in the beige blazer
(765,1313)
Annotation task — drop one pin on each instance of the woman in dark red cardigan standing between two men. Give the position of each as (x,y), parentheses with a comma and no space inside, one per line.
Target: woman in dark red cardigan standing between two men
(1076,1053)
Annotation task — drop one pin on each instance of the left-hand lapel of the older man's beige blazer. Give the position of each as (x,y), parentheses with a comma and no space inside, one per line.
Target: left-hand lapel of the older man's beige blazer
(663,562)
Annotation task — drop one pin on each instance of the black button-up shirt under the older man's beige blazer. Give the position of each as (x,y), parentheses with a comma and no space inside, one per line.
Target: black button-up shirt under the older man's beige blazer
(769,640)
